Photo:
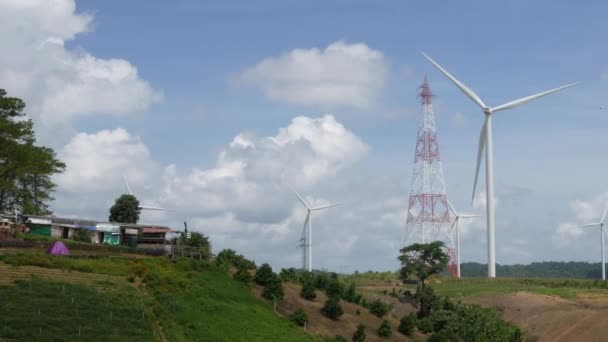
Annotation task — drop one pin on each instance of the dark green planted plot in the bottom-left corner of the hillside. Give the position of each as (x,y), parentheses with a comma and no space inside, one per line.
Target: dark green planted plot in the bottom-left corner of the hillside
(37,310)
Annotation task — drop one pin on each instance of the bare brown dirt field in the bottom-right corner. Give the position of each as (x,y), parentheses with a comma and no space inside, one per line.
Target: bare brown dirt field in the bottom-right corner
(550,318)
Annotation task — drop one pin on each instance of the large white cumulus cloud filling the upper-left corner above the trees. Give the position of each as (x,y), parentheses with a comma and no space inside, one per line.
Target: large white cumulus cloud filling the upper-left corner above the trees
(60,84)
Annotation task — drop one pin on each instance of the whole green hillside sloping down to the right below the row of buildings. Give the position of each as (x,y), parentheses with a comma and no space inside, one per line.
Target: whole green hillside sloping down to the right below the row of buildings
(148,299)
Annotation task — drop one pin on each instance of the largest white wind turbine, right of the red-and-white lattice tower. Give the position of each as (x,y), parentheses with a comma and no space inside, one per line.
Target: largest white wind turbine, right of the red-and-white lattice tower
(485,141)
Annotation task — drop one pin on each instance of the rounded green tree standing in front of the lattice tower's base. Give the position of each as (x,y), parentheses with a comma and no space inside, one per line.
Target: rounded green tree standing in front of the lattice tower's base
(422,260)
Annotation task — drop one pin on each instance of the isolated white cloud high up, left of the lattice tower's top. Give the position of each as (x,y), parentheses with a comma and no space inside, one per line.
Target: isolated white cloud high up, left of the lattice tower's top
(349,75)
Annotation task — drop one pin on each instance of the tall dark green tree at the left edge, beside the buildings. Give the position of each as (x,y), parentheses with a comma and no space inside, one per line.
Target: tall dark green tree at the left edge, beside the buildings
(25,169)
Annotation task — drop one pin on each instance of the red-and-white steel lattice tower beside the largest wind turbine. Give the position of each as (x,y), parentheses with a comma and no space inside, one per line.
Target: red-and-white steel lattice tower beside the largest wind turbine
(428,214)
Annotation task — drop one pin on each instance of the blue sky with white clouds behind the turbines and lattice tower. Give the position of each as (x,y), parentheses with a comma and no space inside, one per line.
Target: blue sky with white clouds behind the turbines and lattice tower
(210,108)
